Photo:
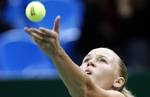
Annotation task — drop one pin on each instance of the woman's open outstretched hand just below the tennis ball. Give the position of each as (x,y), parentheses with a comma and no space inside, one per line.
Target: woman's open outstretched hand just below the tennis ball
(47,39)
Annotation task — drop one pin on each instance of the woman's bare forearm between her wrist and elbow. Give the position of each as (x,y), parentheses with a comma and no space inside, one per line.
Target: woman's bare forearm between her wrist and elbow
(69,72)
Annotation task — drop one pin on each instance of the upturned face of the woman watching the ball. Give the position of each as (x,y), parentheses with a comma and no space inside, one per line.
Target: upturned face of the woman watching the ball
(102,66)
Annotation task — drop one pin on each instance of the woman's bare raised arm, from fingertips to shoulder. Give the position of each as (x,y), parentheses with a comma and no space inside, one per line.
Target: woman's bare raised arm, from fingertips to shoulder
(78,83)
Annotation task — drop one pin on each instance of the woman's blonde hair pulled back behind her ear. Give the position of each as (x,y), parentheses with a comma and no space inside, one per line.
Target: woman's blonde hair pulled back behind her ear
(124,74)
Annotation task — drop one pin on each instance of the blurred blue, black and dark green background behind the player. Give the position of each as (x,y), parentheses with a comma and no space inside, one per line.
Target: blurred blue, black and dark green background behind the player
(121,25)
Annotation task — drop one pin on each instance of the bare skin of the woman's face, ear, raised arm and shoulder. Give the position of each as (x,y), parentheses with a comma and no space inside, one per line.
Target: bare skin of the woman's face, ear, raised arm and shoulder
(94,78)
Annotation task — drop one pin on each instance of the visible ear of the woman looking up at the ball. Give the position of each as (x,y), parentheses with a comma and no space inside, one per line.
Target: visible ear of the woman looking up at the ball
(118,82)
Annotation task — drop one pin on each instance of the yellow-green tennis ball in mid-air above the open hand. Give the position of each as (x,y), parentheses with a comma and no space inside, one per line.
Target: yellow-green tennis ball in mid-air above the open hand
(35,11)
